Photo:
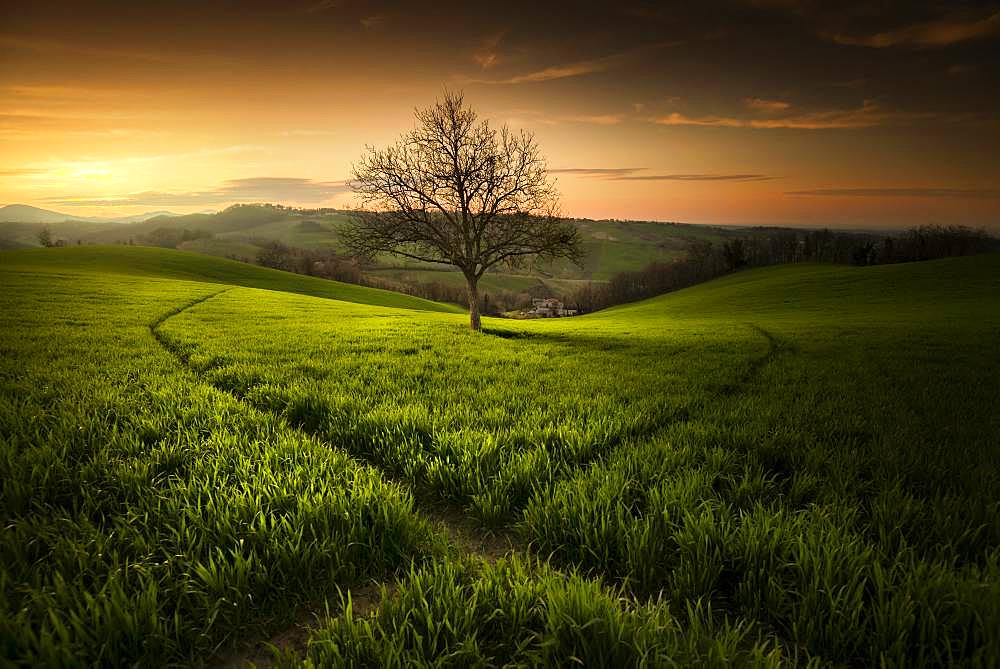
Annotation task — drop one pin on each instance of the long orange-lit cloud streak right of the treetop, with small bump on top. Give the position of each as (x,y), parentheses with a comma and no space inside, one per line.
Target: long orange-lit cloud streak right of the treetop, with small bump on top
(869,115)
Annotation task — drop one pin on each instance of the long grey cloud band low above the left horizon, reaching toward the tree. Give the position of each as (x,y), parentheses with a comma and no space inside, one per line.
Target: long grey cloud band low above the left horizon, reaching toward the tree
(257,189)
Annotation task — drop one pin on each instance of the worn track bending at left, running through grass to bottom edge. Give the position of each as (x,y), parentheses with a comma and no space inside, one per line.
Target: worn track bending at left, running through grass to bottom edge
(461,532)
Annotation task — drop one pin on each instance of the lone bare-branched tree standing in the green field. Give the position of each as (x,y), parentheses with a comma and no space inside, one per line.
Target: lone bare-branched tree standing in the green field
(455,191)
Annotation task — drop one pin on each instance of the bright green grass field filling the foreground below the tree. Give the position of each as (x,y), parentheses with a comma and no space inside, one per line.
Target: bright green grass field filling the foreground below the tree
(793,465)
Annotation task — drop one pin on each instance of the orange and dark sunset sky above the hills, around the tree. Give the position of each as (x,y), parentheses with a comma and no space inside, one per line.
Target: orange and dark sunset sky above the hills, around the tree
(781,112)
